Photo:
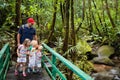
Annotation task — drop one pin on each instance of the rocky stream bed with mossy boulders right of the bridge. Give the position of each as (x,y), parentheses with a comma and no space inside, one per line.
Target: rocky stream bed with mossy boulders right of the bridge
(104,67)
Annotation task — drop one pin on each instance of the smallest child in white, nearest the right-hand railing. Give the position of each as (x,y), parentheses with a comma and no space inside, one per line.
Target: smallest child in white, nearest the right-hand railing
(38,58)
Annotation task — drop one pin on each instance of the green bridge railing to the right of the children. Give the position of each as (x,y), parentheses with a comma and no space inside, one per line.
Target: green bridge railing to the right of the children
(64,61)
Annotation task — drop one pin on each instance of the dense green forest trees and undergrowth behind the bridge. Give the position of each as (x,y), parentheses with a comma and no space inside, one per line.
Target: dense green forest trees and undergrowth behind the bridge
(74,26)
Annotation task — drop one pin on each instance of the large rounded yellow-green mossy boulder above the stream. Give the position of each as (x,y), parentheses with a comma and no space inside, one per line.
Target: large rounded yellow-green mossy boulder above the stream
(104,53)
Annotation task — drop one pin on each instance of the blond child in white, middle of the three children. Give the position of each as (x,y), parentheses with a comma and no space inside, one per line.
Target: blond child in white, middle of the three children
(32,56)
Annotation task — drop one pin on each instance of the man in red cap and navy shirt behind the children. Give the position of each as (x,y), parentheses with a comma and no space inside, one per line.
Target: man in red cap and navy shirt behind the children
(26,31)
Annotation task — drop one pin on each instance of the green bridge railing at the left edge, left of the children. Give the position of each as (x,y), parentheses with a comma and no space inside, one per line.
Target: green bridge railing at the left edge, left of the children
(4,61)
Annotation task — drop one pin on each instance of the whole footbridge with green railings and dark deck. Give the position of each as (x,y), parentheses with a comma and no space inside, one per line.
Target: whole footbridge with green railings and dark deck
(7,73)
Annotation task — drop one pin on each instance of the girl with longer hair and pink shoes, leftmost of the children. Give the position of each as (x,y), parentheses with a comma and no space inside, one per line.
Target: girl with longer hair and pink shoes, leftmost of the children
(22,52)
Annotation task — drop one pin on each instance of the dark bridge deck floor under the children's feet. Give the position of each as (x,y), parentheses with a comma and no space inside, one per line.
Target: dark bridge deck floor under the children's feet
(41,76)
